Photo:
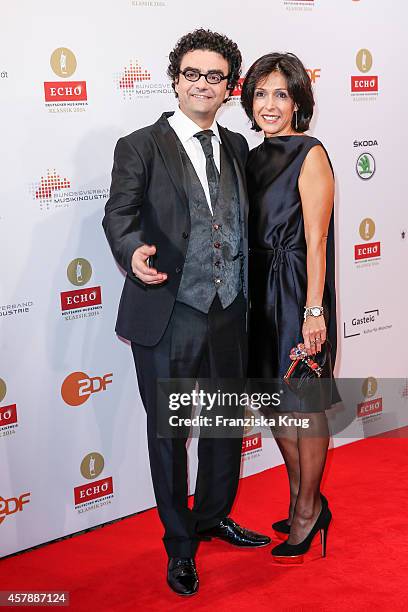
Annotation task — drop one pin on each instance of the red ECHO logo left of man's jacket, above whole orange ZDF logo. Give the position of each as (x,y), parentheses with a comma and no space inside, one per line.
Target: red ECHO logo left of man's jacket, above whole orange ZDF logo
(83,302)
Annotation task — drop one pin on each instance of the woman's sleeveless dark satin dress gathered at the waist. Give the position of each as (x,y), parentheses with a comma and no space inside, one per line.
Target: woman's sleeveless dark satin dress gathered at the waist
(277,258)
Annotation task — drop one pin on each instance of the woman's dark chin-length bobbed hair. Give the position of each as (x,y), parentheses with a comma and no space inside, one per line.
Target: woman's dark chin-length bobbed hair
(298,85)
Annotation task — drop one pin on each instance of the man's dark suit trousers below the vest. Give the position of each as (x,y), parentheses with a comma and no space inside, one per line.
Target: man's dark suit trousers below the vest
(194,345)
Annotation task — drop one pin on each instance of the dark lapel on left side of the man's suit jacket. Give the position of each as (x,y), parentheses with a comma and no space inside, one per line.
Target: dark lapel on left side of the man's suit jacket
(167,145)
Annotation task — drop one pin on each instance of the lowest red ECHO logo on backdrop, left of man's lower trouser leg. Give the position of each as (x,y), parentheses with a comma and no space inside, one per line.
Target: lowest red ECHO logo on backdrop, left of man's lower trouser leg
(90,496)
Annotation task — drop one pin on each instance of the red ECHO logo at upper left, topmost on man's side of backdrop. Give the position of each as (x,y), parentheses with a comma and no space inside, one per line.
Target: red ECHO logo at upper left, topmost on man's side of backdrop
(64,96)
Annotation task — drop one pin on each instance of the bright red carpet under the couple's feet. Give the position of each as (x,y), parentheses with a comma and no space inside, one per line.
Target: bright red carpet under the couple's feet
(122,566)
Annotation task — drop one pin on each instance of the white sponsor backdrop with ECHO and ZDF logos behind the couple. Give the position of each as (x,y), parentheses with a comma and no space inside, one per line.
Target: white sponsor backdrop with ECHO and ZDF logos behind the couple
(76,76)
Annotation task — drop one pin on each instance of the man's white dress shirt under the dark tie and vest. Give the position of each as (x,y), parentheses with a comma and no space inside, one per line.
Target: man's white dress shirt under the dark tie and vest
(185,129)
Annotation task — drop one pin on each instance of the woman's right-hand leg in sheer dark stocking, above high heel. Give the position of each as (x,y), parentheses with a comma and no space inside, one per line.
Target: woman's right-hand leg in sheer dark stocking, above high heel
(312,446)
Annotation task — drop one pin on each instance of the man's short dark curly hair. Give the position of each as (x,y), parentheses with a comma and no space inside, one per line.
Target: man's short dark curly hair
(209,41)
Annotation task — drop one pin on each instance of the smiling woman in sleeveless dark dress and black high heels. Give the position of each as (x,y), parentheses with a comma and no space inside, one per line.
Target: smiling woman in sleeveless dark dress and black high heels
(291,275)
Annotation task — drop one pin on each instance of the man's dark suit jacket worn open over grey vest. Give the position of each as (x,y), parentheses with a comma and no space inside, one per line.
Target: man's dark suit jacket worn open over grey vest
(148,205)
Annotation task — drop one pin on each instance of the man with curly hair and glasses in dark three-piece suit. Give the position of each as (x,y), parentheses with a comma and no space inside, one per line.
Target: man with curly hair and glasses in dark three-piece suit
(176,221)
